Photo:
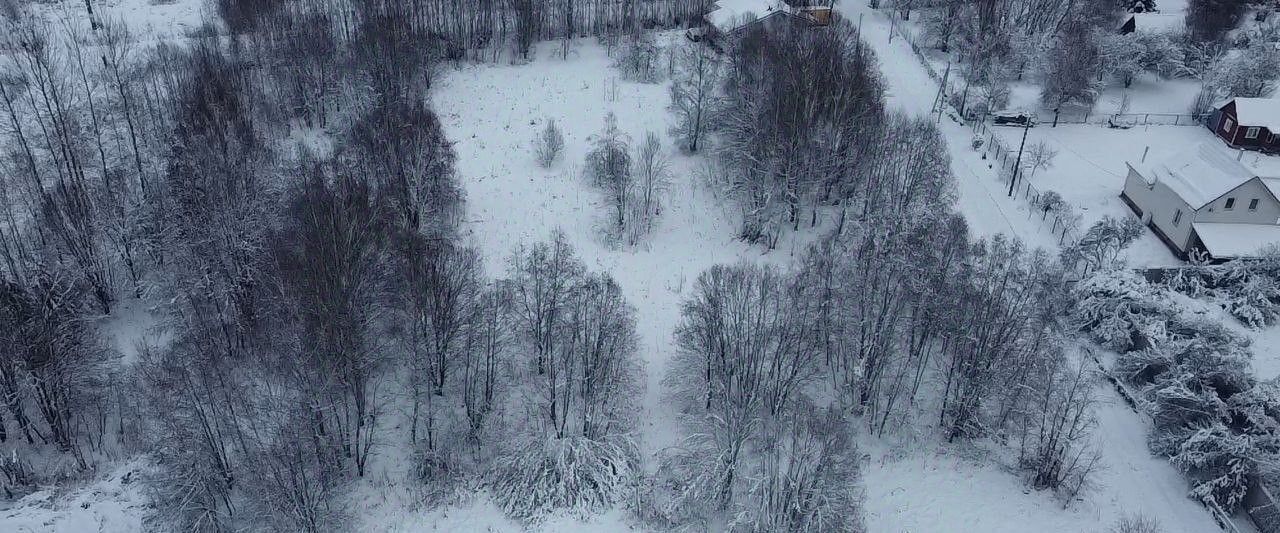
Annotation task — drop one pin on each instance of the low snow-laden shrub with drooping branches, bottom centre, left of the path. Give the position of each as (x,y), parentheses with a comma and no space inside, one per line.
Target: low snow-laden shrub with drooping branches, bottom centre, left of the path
(572,473)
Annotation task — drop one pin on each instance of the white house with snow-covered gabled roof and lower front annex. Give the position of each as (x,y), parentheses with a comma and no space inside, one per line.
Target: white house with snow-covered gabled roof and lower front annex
(1205,201)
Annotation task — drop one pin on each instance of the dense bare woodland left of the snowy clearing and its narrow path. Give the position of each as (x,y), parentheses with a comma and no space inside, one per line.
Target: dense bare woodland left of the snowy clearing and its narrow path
(313,295)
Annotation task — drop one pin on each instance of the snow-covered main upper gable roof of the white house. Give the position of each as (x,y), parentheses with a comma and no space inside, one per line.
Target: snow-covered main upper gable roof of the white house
(1200,175)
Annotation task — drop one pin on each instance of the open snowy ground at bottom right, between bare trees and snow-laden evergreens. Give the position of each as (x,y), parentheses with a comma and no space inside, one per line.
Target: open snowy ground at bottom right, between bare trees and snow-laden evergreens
(958,489)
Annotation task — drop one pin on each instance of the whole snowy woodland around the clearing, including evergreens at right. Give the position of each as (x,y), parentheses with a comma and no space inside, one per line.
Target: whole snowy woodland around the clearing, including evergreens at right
(318,303)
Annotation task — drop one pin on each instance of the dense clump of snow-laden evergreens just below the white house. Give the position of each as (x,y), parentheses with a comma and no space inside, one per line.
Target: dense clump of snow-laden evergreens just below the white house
(1210,418)
